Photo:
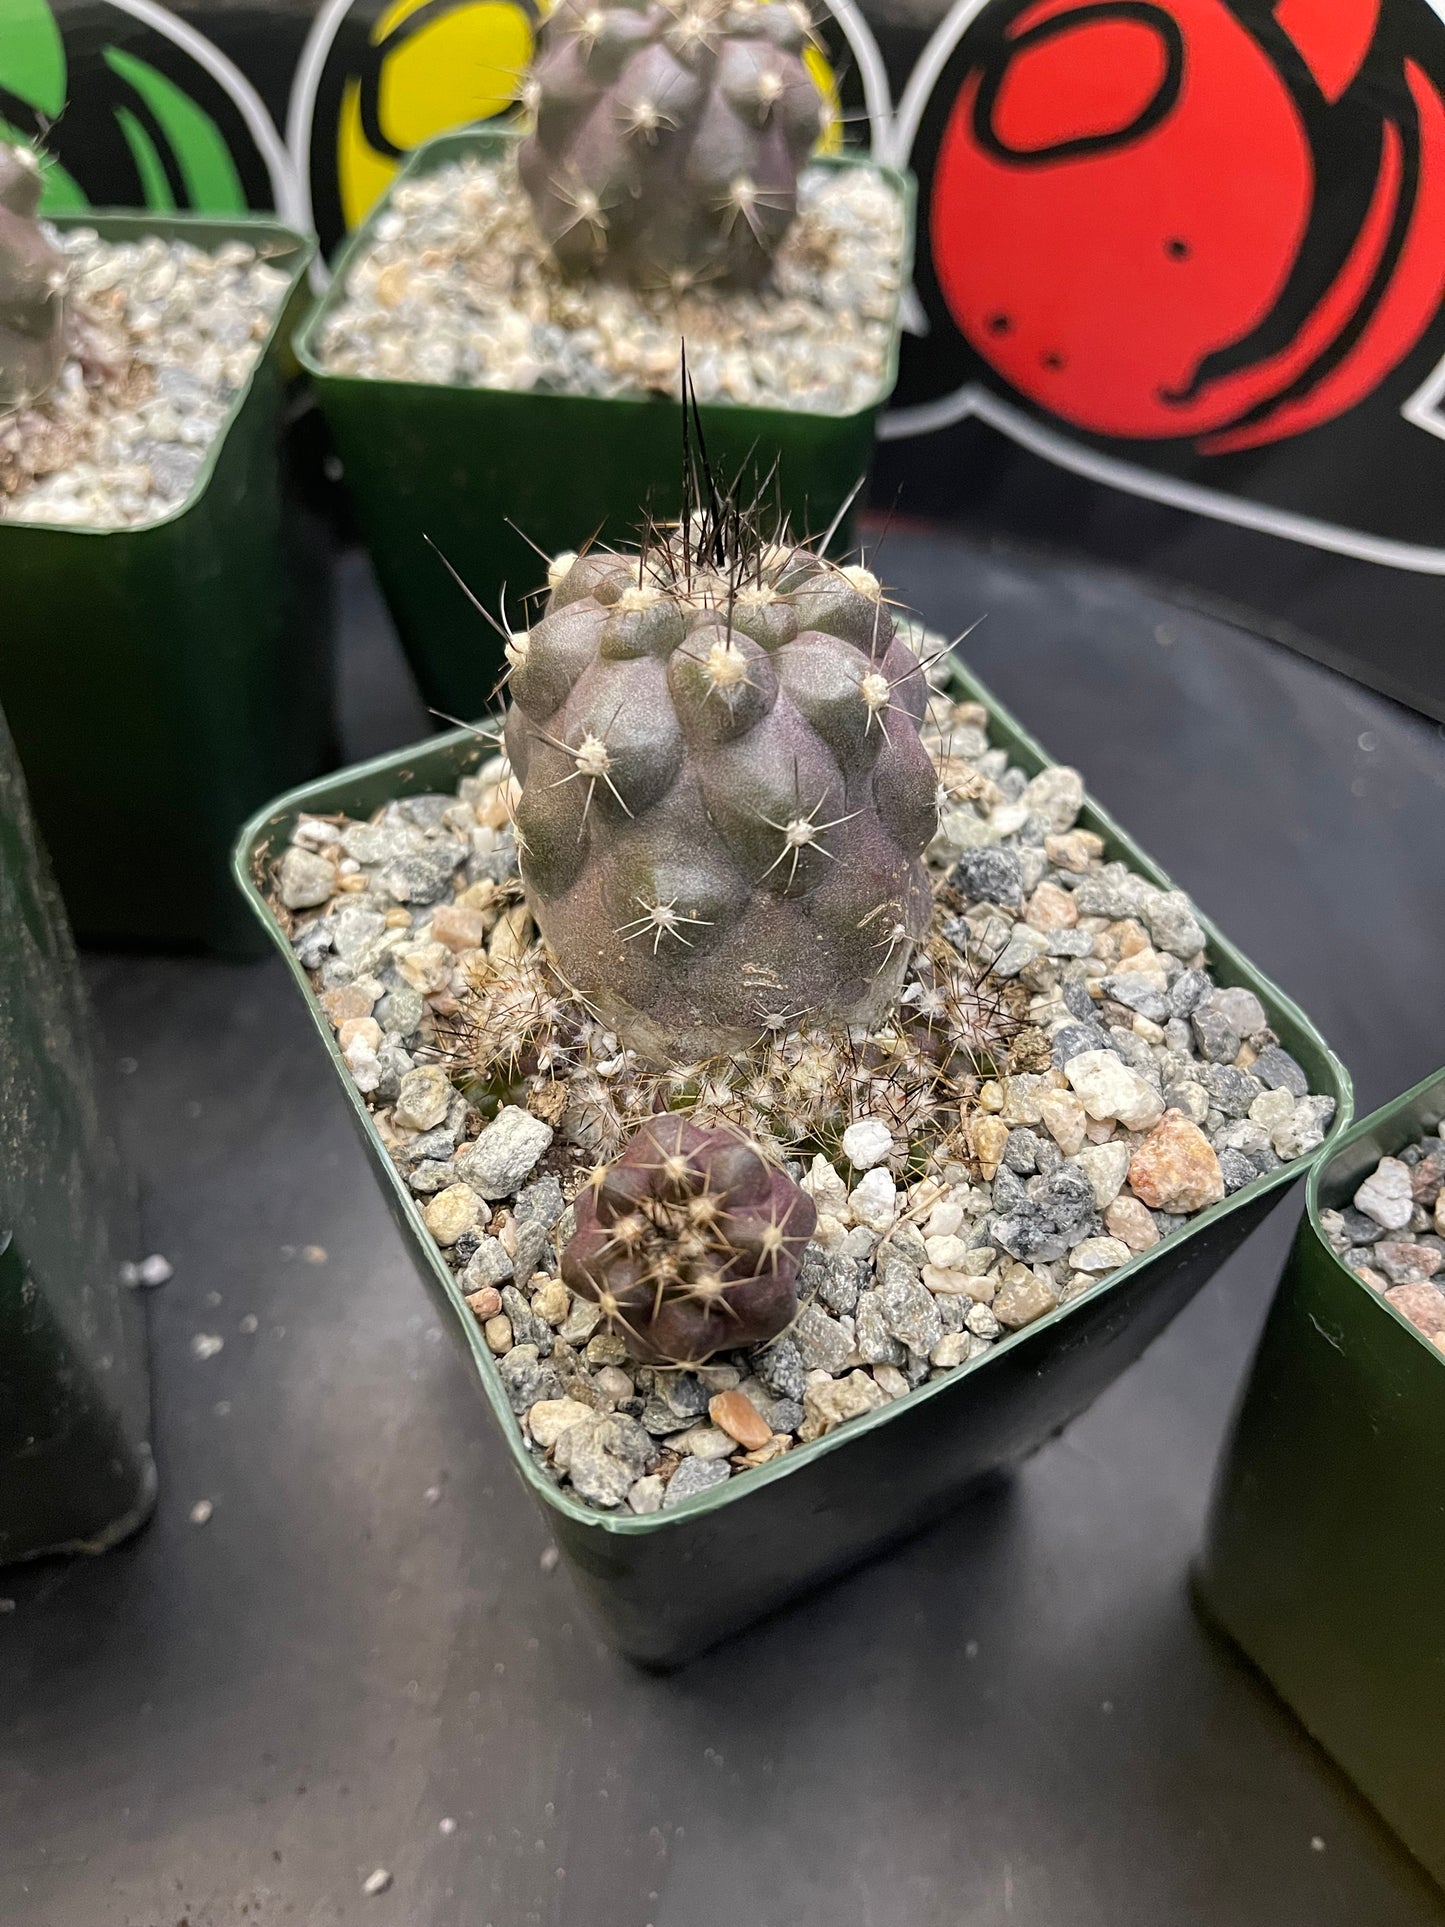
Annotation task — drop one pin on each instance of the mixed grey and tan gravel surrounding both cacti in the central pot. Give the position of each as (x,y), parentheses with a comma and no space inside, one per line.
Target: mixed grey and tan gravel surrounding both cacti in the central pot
(1061,1088)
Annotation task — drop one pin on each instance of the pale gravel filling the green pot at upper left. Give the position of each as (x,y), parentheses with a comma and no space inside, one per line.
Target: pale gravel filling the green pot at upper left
(165,336)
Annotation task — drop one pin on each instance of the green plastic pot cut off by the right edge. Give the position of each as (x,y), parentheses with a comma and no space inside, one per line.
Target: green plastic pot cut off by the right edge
(1327,1544)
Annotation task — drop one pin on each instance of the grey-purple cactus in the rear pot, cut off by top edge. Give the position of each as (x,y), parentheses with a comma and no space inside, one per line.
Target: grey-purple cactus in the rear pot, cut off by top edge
(670,136)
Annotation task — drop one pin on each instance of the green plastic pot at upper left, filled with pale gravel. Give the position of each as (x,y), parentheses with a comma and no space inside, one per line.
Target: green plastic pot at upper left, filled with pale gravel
(163,681)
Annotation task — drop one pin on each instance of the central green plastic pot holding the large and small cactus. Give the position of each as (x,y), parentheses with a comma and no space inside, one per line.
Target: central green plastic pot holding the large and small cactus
(673,1583)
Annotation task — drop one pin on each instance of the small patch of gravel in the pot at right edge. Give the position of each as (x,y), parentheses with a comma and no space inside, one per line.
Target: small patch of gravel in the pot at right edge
(1392,1234)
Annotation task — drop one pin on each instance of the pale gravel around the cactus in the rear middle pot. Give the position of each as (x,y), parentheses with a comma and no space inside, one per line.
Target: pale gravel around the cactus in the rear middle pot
(458,286)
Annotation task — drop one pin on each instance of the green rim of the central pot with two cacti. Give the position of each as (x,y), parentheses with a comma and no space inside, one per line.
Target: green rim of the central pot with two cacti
(1228,964)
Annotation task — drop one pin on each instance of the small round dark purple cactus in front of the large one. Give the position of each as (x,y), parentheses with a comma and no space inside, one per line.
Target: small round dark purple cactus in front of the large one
(691,1244)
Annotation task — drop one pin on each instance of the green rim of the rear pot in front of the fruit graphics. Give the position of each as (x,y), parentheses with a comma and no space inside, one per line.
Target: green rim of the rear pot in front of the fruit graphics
(490,142)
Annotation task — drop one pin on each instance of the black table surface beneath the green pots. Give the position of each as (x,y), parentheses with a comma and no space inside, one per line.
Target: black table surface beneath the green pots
(367,1662)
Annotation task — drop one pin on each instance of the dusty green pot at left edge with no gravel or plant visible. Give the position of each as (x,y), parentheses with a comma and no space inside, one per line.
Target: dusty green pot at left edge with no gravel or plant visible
(76,1469)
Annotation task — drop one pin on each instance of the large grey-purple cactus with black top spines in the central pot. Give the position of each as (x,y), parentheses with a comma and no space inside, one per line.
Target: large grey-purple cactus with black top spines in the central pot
(723,793)
